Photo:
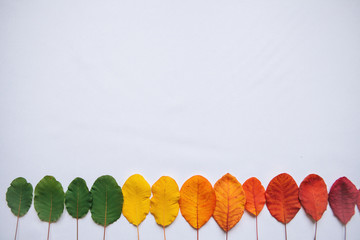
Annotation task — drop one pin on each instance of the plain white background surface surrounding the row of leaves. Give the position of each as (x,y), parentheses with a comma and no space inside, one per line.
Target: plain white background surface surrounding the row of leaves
(179,88)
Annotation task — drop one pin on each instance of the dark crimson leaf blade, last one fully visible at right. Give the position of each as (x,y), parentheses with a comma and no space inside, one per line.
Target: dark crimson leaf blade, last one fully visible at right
(342,199)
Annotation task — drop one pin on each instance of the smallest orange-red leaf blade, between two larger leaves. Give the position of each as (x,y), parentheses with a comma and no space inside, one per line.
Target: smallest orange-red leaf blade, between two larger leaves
(255,196)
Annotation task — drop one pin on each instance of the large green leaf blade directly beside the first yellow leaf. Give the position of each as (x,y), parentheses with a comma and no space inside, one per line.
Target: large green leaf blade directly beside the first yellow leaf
(107,200)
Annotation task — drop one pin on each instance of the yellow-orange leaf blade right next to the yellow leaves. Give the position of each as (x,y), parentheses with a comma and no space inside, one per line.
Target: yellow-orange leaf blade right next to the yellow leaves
(197,201)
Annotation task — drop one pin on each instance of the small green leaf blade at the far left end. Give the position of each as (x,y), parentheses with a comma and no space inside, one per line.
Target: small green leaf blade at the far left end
(19,196)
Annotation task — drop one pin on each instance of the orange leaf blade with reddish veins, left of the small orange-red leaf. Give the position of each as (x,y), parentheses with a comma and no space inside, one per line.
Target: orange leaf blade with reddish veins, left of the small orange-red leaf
(230,202)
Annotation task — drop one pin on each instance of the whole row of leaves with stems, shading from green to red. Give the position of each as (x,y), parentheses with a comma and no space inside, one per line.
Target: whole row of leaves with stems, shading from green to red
(197,199)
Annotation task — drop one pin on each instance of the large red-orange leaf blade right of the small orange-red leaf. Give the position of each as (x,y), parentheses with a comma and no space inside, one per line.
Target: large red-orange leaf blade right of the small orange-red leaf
(282,198)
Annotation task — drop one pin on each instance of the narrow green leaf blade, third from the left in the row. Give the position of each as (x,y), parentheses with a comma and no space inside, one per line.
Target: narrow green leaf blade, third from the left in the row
(78,198)
